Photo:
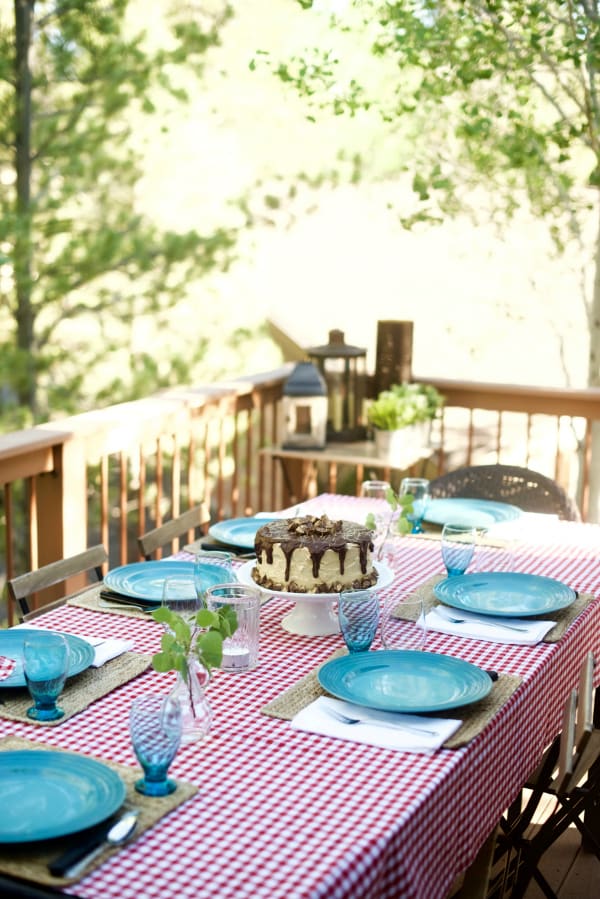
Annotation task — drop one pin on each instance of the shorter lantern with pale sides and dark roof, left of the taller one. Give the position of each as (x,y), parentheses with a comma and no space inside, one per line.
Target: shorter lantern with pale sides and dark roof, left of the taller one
(304,408)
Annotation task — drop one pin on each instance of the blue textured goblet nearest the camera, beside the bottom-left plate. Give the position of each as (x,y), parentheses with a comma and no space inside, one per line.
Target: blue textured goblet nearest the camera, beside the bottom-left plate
(155,727)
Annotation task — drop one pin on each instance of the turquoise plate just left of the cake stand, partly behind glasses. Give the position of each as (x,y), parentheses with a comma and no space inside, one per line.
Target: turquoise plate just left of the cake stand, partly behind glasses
(144,580)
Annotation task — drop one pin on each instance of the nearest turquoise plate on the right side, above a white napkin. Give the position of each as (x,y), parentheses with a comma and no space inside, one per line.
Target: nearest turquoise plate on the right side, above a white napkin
(404,680)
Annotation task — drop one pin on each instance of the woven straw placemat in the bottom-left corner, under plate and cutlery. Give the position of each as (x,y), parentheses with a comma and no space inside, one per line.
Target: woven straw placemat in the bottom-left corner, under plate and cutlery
(30,861)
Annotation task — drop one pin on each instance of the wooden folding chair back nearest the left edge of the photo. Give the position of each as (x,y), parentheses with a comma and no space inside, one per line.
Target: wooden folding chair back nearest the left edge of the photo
(21,588)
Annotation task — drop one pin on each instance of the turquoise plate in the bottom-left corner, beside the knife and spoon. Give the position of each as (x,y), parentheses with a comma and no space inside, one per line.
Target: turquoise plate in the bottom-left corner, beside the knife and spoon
(48,794)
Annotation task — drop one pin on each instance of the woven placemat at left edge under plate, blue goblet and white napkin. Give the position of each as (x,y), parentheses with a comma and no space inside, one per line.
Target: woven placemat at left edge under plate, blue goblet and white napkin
(80,691)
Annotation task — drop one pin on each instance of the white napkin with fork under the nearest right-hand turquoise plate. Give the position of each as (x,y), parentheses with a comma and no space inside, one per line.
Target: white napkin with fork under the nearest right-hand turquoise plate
(384,729)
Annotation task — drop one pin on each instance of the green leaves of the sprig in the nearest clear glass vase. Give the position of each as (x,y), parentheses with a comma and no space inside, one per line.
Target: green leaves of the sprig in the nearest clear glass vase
(203,637)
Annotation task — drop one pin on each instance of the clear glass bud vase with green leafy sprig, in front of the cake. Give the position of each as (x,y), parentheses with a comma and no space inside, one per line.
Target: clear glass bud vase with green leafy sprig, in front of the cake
(192,649)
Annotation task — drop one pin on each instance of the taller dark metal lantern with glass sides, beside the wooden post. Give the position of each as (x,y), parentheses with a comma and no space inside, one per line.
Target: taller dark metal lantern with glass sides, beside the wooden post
(344,370)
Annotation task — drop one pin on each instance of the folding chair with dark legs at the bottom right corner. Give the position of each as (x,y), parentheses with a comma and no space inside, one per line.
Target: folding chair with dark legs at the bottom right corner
(569,771)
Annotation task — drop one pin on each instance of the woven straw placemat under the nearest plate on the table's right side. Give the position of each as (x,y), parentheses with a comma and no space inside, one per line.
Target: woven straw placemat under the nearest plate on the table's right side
(474,717)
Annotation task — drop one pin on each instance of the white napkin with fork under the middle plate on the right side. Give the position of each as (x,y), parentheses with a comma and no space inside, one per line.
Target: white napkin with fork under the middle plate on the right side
(491,628)
